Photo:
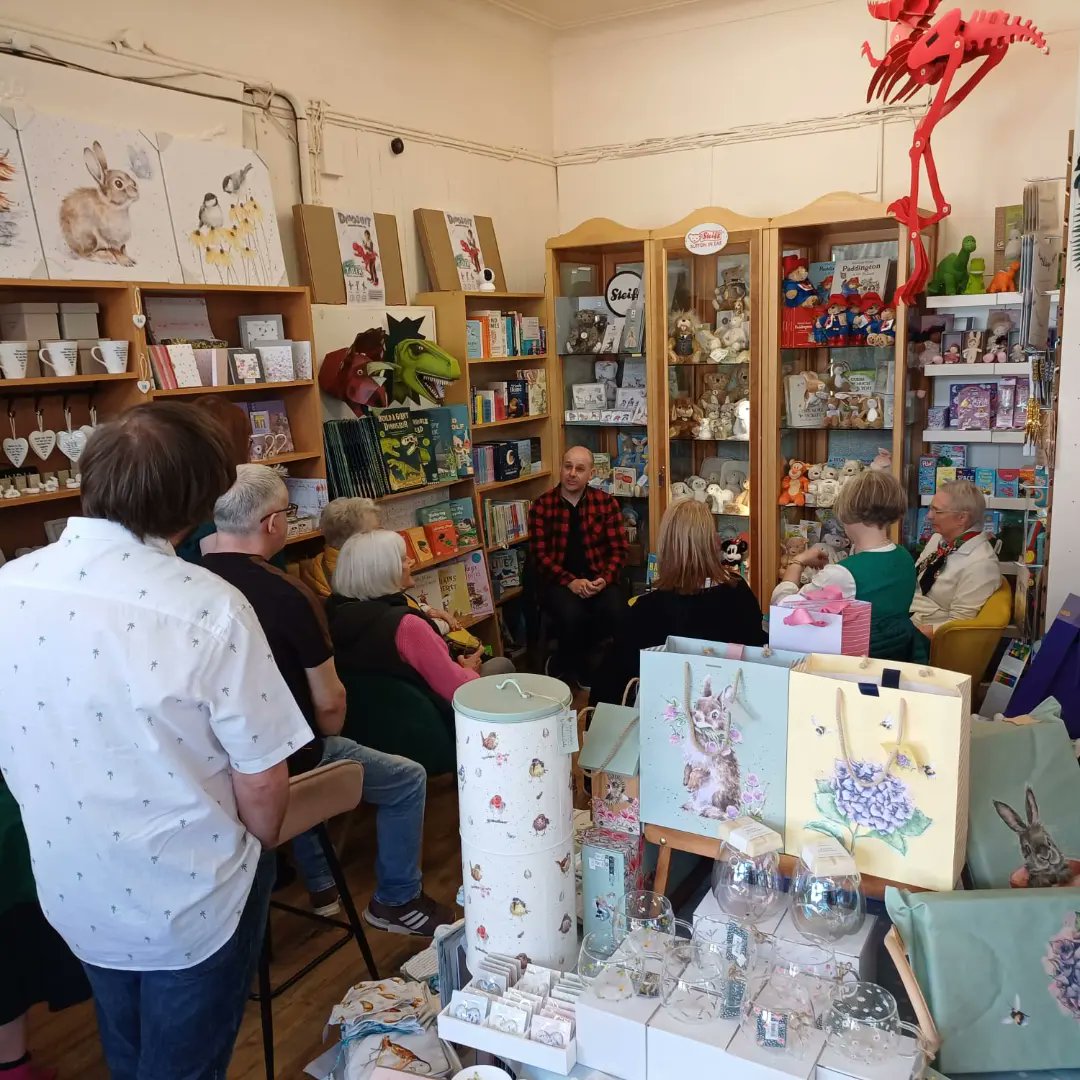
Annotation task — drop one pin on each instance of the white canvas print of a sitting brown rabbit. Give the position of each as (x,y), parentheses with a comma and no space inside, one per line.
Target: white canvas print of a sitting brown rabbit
(98,218)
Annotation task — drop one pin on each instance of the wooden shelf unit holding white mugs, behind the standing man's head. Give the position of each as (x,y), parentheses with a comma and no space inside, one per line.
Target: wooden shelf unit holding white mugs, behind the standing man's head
(22,520)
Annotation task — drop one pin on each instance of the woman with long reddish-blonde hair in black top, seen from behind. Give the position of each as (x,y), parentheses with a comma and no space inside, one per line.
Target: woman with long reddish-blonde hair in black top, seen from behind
(696,597)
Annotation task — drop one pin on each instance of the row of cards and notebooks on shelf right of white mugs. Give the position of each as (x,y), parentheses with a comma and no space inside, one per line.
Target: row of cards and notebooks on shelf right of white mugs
(182,366)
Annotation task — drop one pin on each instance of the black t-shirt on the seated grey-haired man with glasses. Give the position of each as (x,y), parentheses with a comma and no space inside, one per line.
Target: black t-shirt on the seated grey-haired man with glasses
(295,625)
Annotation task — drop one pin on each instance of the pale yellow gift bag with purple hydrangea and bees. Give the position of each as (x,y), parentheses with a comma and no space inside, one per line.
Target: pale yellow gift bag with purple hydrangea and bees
(883,753)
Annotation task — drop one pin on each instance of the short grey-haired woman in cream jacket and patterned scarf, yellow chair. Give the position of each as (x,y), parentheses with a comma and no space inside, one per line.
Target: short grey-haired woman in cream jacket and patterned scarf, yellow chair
(958,570)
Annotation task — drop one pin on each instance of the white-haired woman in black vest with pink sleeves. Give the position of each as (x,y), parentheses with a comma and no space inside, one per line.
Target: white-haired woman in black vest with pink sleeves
(377,630)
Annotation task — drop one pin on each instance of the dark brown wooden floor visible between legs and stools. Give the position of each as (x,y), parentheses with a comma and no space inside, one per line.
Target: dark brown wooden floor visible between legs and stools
(69,1041)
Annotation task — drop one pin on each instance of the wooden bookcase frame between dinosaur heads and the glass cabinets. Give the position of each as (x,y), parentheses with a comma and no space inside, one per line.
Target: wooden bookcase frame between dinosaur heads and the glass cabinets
(452,312)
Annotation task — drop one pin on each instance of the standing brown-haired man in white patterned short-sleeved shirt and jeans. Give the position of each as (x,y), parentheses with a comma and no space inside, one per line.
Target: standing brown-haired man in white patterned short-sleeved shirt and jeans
(145,740)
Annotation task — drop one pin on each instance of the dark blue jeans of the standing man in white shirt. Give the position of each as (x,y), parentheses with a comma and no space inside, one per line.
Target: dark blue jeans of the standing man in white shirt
(182,1025)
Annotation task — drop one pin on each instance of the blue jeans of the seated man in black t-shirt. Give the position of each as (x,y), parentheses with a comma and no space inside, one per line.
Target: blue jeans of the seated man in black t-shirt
(399,788)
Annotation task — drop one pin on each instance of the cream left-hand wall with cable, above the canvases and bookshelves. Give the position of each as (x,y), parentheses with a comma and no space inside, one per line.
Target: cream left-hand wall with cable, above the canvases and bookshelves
(455,69)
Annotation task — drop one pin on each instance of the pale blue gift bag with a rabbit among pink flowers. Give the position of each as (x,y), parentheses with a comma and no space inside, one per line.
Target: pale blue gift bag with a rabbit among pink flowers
(713,721)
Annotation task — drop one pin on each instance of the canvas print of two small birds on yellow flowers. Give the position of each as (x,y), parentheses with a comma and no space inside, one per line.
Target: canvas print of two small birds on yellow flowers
(224,219)
